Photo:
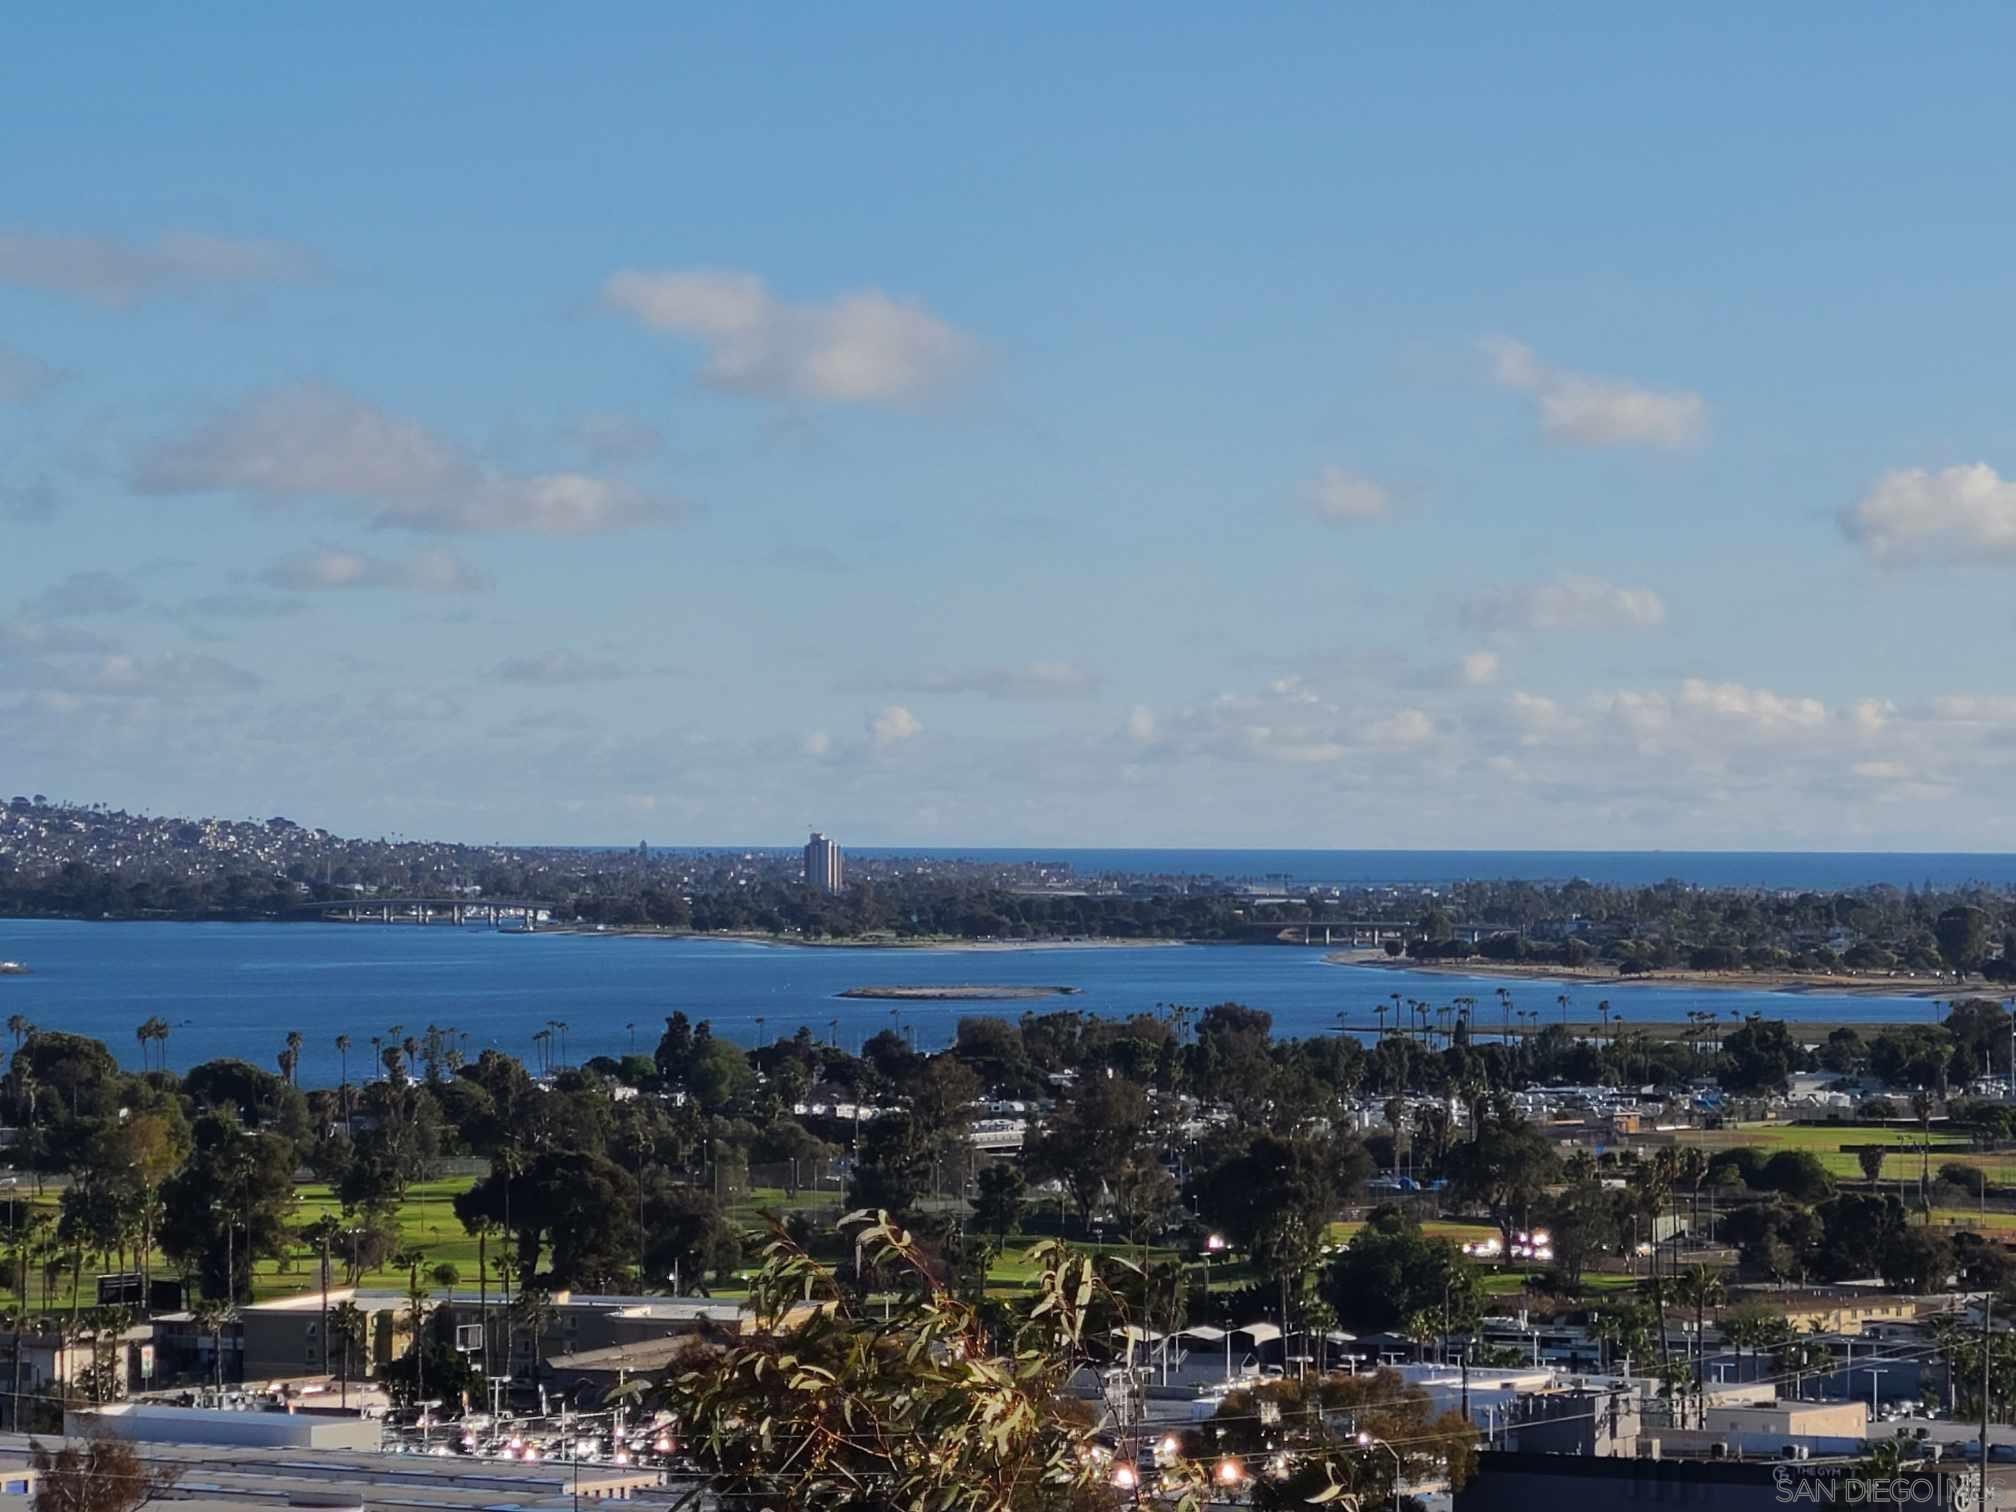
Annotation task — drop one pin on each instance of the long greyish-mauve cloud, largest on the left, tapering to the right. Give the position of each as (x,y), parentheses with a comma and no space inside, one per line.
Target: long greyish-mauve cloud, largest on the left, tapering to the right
(313,443)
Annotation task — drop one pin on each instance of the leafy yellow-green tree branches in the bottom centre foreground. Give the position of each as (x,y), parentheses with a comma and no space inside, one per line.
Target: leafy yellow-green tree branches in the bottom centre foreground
(918,1402)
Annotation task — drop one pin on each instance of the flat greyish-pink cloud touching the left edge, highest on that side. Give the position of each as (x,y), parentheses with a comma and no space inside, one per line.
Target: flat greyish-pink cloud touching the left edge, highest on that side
(110,271)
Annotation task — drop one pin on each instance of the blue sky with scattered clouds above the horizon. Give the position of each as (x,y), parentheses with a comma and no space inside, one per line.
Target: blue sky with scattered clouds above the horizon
(1150,426)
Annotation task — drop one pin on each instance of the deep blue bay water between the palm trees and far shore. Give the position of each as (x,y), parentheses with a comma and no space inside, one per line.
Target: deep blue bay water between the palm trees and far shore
(239,989)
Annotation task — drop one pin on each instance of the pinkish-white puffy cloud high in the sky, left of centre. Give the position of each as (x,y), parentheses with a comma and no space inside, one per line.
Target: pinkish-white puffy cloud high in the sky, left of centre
(860,348)
